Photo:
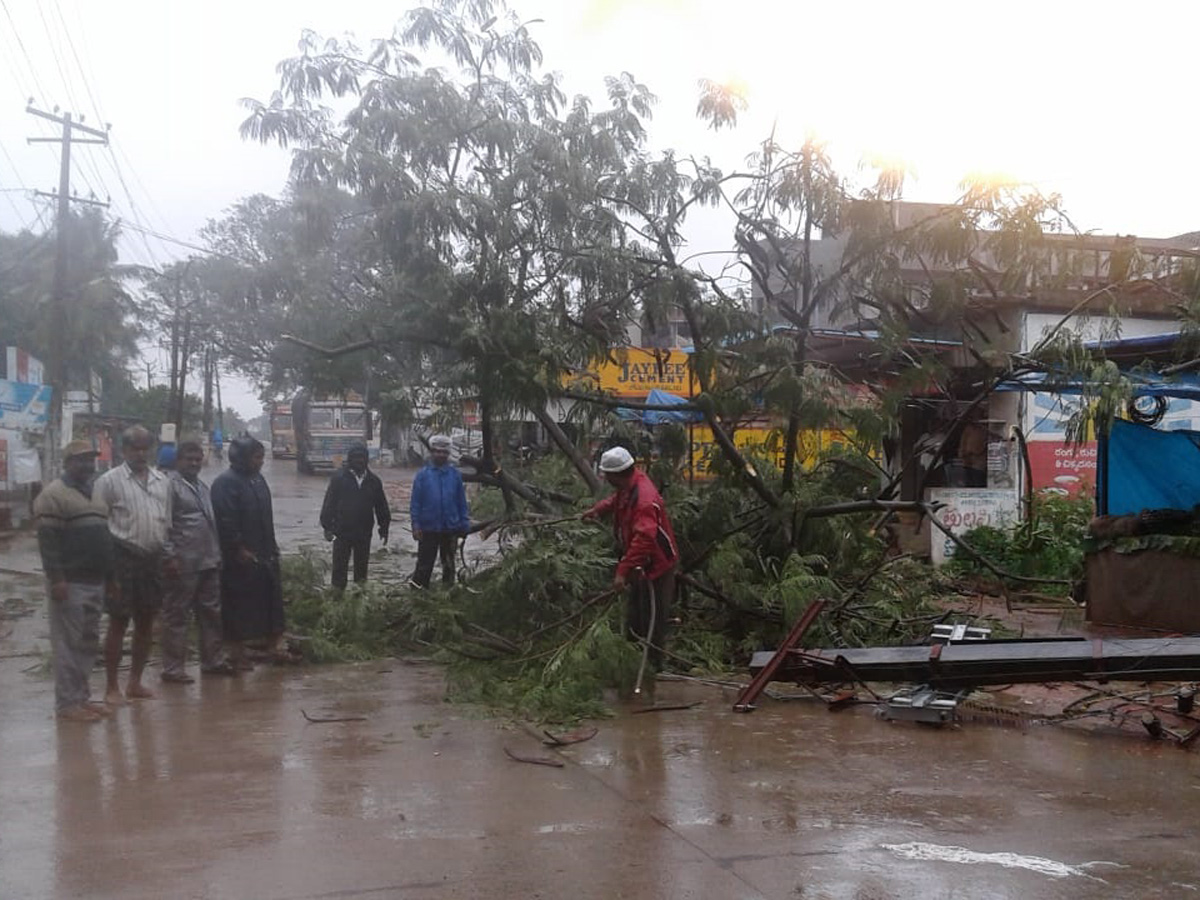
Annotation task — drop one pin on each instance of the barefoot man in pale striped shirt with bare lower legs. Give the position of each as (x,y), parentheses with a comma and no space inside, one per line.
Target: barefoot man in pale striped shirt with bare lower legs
(139,517)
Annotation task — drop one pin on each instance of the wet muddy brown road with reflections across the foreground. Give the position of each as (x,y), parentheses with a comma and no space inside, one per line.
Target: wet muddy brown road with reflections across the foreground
(223,790)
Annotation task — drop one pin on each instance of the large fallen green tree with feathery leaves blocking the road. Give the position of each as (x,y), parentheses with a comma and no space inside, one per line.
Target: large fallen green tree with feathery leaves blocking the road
(496,238)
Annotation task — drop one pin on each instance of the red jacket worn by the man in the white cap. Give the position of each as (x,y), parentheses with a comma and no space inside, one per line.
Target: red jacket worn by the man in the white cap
(643,527)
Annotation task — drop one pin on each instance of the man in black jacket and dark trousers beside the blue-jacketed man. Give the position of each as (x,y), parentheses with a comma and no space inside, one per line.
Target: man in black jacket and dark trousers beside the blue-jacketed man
(355,502)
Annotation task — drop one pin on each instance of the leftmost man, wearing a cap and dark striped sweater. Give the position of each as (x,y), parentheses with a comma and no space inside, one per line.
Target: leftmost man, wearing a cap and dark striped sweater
(77,557)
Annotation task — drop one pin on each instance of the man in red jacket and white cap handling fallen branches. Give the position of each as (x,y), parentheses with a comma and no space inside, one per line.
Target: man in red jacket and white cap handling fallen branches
(650,554)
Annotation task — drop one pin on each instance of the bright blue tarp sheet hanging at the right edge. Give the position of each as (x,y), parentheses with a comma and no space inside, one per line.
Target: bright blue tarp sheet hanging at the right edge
(1144,469)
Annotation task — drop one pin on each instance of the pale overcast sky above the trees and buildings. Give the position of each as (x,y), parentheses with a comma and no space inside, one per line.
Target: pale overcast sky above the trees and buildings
(1087,100)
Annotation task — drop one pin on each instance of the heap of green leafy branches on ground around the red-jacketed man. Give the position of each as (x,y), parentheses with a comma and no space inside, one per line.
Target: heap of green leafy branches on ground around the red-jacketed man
(538,632)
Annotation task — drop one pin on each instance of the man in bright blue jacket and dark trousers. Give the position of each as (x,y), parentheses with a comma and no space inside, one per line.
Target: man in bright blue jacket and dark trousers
(440,514)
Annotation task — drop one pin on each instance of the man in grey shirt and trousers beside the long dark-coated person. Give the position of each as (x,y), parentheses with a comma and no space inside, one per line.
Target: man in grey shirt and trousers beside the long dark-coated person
(194,571)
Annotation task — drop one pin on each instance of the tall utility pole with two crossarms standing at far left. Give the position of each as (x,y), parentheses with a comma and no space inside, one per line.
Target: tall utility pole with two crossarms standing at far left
(57,365)
